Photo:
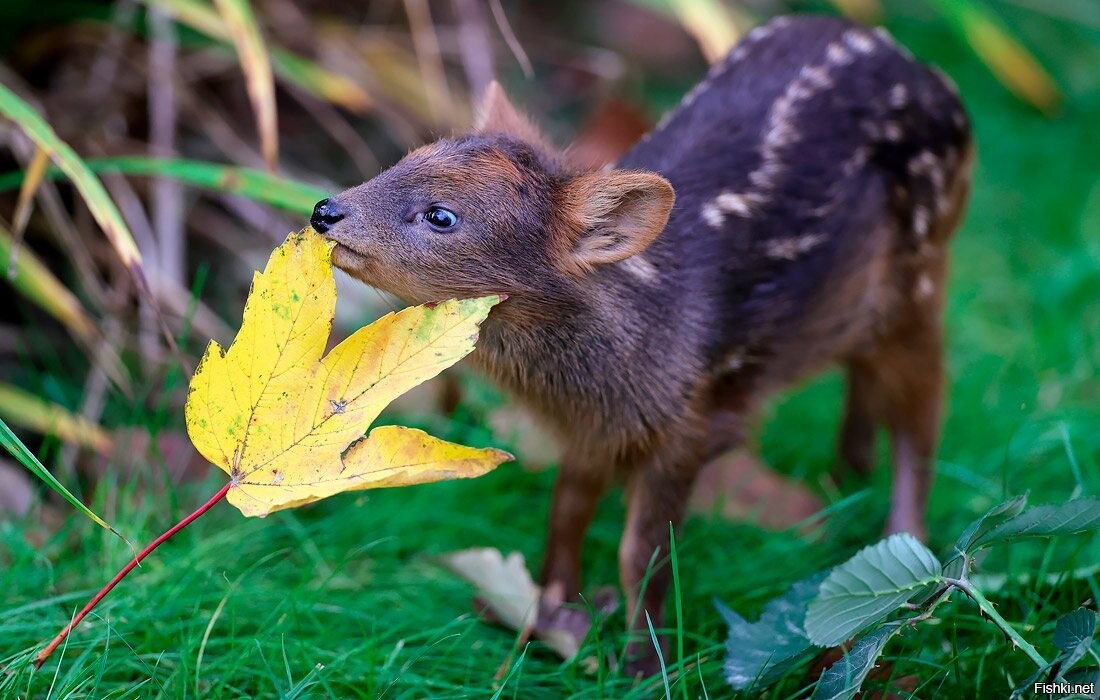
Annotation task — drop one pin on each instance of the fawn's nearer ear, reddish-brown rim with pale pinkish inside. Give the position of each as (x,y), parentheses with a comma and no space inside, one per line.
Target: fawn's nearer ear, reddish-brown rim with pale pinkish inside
(614,215)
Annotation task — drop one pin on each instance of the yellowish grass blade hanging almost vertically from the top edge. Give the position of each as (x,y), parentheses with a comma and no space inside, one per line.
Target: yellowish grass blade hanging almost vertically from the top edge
(245,32)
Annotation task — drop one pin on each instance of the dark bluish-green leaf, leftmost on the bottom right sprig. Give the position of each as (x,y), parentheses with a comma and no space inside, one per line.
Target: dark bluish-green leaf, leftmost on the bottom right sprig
(760,653)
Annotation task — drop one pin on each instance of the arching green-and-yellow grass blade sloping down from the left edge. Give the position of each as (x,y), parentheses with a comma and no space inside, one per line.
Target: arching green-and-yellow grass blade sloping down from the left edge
(101,204)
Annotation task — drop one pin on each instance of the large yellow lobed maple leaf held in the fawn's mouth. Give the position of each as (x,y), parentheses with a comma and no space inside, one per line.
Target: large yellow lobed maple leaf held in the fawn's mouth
(288,425)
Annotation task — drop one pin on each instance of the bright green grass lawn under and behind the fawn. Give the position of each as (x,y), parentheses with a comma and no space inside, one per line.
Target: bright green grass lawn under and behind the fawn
(241,608)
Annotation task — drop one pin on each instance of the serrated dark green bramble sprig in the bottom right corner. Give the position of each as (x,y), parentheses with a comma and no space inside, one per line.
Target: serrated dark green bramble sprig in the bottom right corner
(900,575)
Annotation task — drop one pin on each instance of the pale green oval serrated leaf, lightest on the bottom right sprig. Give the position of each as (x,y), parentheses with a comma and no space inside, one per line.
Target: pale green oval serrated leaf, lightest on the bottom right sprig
(865,589)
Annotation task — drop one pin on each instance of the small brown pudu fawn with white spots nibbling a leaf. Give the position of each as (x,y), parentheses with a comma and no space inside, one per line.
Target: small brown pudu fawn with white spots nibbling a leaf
(791,214)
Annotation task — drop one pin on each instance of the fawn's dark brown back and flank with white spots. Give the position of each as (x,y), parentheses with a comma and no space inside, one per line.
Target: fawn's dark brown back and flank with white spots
(810,161)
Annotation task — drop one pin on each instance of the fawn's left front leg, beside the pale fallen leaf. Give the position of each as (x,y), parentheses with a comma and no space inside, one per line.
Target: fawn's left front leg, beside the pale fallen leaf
(577,495)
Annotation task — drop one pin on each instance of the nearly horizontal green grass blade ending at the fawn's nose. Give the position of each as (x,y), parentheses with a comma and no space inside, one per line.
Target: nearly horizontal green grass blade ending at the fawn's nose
(285,194)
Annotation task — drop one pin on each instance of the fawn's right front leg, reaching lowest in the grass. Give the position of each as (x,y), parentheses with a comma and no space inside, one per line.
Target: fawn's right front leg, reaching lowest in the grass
(657,500)
